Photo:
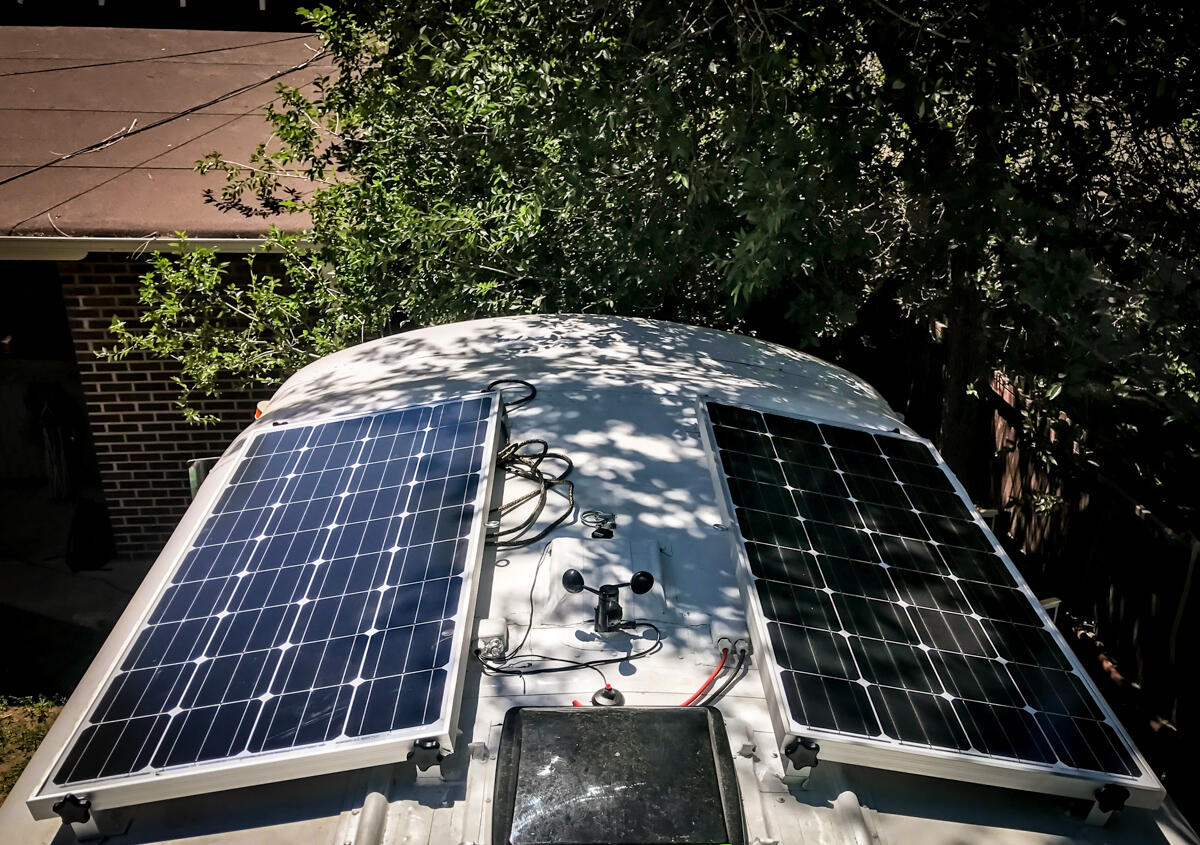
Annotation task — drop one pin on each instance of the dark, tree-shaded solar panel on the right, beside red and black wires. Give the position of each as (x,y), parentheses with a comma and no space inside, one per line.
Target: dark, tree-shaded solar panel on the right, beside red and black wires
(890,624)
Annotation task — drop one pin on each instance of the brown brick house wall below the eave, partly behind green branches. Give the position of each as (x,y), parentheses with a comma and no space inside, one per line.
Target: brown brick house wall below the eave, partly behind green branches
(143,444)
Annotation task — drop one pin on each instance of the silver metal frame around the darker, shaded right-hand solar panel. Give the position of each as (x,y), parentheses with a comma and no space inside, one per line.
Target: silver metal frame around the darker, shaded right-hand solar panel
(1145,792)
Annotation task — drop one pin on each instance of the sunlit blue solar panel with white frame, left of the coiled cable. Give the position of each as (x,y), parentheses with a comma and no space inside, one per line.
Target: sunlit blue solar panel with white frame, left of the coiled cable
(315,615)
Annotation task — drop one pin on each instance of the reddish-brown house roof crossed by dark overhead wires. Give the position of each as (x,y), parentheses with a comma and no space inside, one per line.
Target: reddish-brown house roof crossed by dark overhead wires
(152,103)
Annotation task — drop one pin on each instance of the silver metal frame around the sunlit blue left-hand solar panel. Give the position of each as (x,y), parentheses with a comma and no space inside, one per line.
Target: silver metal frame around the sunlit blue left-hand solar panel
(286,764)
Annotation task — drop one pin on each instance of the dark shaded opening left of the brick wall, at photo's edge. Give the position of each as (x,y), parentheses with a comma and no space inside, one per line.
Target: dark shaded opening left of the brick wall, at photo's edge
(52,517)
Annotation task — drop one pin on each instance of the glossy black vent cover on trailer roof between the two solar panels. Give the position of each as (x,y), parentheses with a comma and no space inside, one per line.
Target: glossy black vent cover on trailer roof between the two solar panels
(616,776)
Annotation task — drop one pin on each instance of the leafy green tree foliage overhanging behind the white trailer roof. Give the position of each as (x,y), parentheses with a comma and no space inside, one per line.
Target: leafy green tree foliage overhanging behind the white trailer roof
(1023,173)
